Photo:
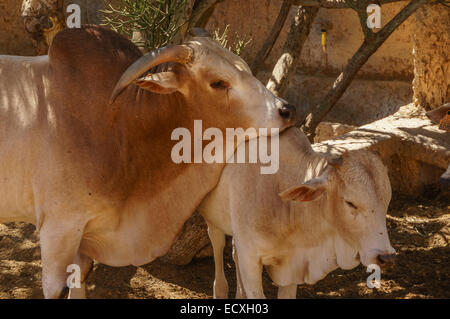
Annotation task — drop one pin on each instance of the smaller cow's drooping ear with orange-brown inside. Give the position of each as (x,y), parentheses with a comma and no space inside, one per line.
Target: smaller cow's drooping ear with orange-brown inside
(307,192)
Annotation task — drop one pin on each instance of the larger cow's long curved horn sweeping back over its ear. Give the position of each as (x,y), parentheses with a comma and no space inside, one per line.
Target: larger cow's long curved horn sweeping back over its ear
(178,53)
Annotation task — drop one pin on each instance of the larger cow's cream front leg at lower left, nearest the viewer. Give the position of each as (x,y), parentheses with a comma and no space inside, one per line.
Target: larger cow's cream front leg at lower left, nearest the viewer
(60,240)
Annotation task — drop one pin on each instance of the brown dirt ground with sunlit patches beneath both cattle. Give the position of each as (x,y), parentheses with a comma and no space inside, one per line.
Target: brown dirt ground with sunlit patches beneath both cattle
(419,231)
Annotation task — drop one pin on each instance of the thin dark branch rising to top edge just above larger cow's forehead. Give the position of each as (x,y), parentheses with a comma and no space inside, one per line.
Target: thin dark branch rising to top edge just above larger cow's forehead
(273,36)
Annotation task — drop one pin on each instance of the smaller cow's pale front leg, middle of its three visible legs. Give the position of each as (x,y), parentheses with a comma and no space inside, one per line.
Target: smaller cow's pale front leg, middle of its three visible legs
(250,268)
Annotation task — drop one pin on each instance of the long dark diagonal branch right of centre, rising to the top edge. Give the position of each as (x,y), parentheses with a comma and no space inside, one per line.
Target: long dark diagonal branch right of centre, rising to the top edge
(356,62)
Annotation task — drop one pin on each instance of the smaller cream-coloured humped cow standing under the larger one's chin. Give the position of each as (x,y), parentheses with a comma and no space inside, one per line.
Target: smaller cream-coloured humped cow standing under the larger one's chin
(336,217)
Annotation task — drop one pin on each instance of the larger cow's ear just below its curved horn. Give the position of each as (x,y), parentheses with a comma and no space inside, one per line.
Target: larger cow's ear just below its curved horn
(161,83)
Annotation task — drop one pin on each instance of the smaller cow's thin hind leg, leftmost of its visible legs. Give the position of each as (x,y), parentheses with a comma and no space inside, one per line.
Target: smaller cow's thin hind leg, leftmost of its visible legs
(217,238)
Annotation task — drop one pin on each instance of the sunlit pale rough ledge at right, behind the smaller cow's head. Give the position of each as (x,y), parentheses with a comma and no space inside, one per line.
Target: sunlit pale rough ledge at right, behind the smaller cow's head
(415,151)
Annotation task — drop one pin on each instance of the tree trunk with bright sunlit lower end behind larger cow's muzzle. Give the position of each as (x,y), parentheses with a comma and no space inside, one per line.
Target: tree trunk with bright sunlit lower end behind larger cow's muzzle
(286,65)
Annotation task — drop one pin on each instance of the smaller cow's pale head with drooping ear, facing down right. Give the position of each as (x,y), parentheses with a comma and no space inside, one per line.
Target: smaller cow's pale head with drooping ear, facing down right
(358,193)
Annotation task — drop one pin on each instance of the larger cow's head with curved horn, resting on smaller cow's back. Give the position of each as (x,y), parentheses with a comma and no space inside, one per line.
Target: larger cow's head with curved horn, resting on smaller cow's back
(216,83)
